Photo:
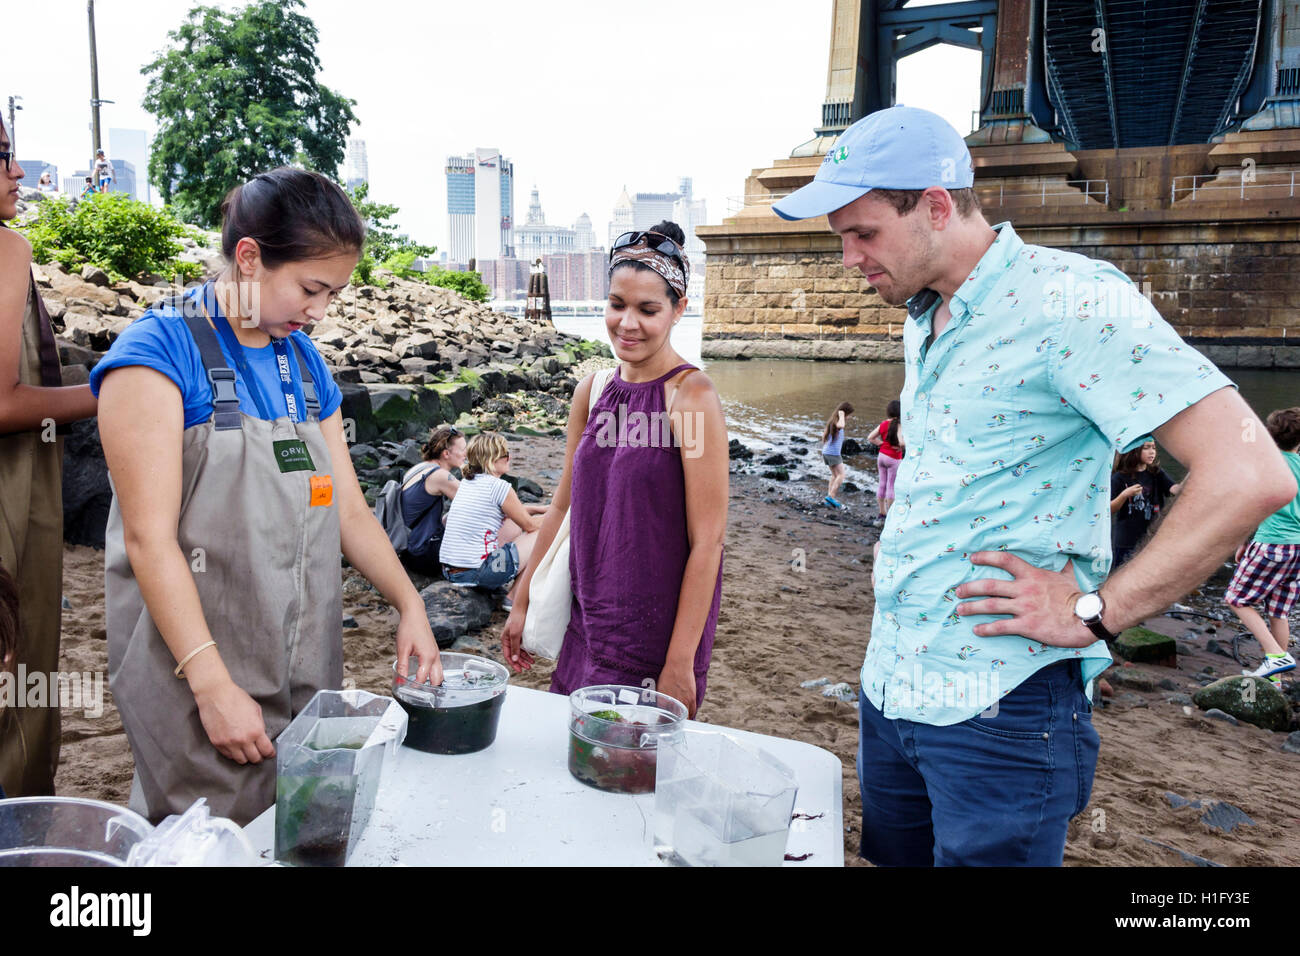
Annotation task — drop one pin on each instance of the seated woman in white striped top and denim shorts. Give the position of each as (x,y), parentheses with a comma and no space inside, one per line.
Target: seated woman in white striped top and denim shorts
(489,533)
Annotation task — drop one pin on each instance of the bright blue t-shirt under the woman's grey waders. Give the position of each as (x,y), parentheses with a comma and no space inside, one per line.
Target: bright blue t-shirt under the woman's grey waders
(162,341)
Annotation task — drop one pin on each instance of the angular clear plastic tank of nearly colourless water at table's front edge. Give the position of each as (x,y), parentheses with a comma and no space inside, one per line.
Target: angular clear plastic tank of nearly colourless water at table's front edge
(721,803)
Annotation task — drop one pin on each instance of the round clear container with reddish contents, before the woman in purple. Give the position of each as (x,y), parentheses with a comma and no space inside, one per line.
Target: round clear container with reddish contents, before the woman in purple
(616,733)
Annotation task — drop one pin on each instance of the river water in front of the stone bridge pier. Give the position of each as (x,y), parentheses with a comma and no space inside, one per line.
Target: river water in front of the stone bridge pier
(772,401)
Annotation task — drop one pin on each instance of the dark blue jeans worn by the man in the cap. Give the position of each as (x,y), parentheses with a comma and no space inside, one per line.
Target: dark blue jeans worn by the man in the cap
(990,791)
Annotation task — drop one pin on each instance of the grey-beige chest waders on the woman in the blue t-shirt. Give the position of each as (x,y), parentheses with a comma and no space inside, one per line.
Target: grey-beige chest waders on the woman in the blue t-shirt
(261,531)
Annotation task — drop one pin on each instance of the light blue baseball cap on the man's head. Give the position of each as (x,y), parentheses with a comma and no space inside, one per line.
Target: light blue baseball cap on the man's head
(900,148)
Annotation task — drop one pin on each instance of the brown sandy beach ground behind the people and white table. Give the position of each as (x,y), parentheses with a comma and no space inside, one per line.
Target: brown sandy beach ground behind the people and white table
(781,626)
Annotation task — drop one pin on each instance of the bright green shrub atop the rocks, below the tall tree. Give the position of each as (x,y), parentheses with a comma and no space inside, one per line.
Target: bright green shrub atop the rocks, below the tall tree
(123,237)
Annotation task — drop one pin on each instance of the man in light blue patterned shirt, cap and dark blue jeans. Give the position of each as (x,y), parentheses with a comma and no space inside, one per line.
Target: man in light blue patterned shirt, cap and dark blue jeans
(1026,370)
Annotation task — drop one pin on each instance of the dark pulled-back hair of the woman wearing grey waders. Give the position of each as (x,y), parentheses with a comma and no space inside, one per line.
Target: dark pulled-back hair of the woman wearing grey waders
(294,215)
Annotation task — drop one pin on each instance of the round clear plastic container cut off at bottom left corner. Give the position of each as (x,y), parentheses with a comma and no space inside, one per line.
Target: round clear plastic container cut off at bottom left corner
(68,832)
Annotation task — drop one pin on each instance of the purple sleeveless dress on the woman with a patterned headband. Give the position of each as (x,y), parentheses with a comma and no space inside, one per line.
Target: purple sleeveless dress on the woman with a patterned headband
(629,544)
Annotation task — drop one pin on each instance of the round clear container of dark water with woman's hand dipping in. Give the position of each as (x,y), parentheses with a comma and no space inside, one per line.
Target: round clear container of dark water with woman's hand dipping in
(458,716)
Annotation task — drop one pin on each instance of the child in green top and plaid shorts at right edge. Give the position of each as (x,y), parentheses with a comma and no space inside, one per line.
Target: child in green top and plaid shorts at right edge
(1268,568)
